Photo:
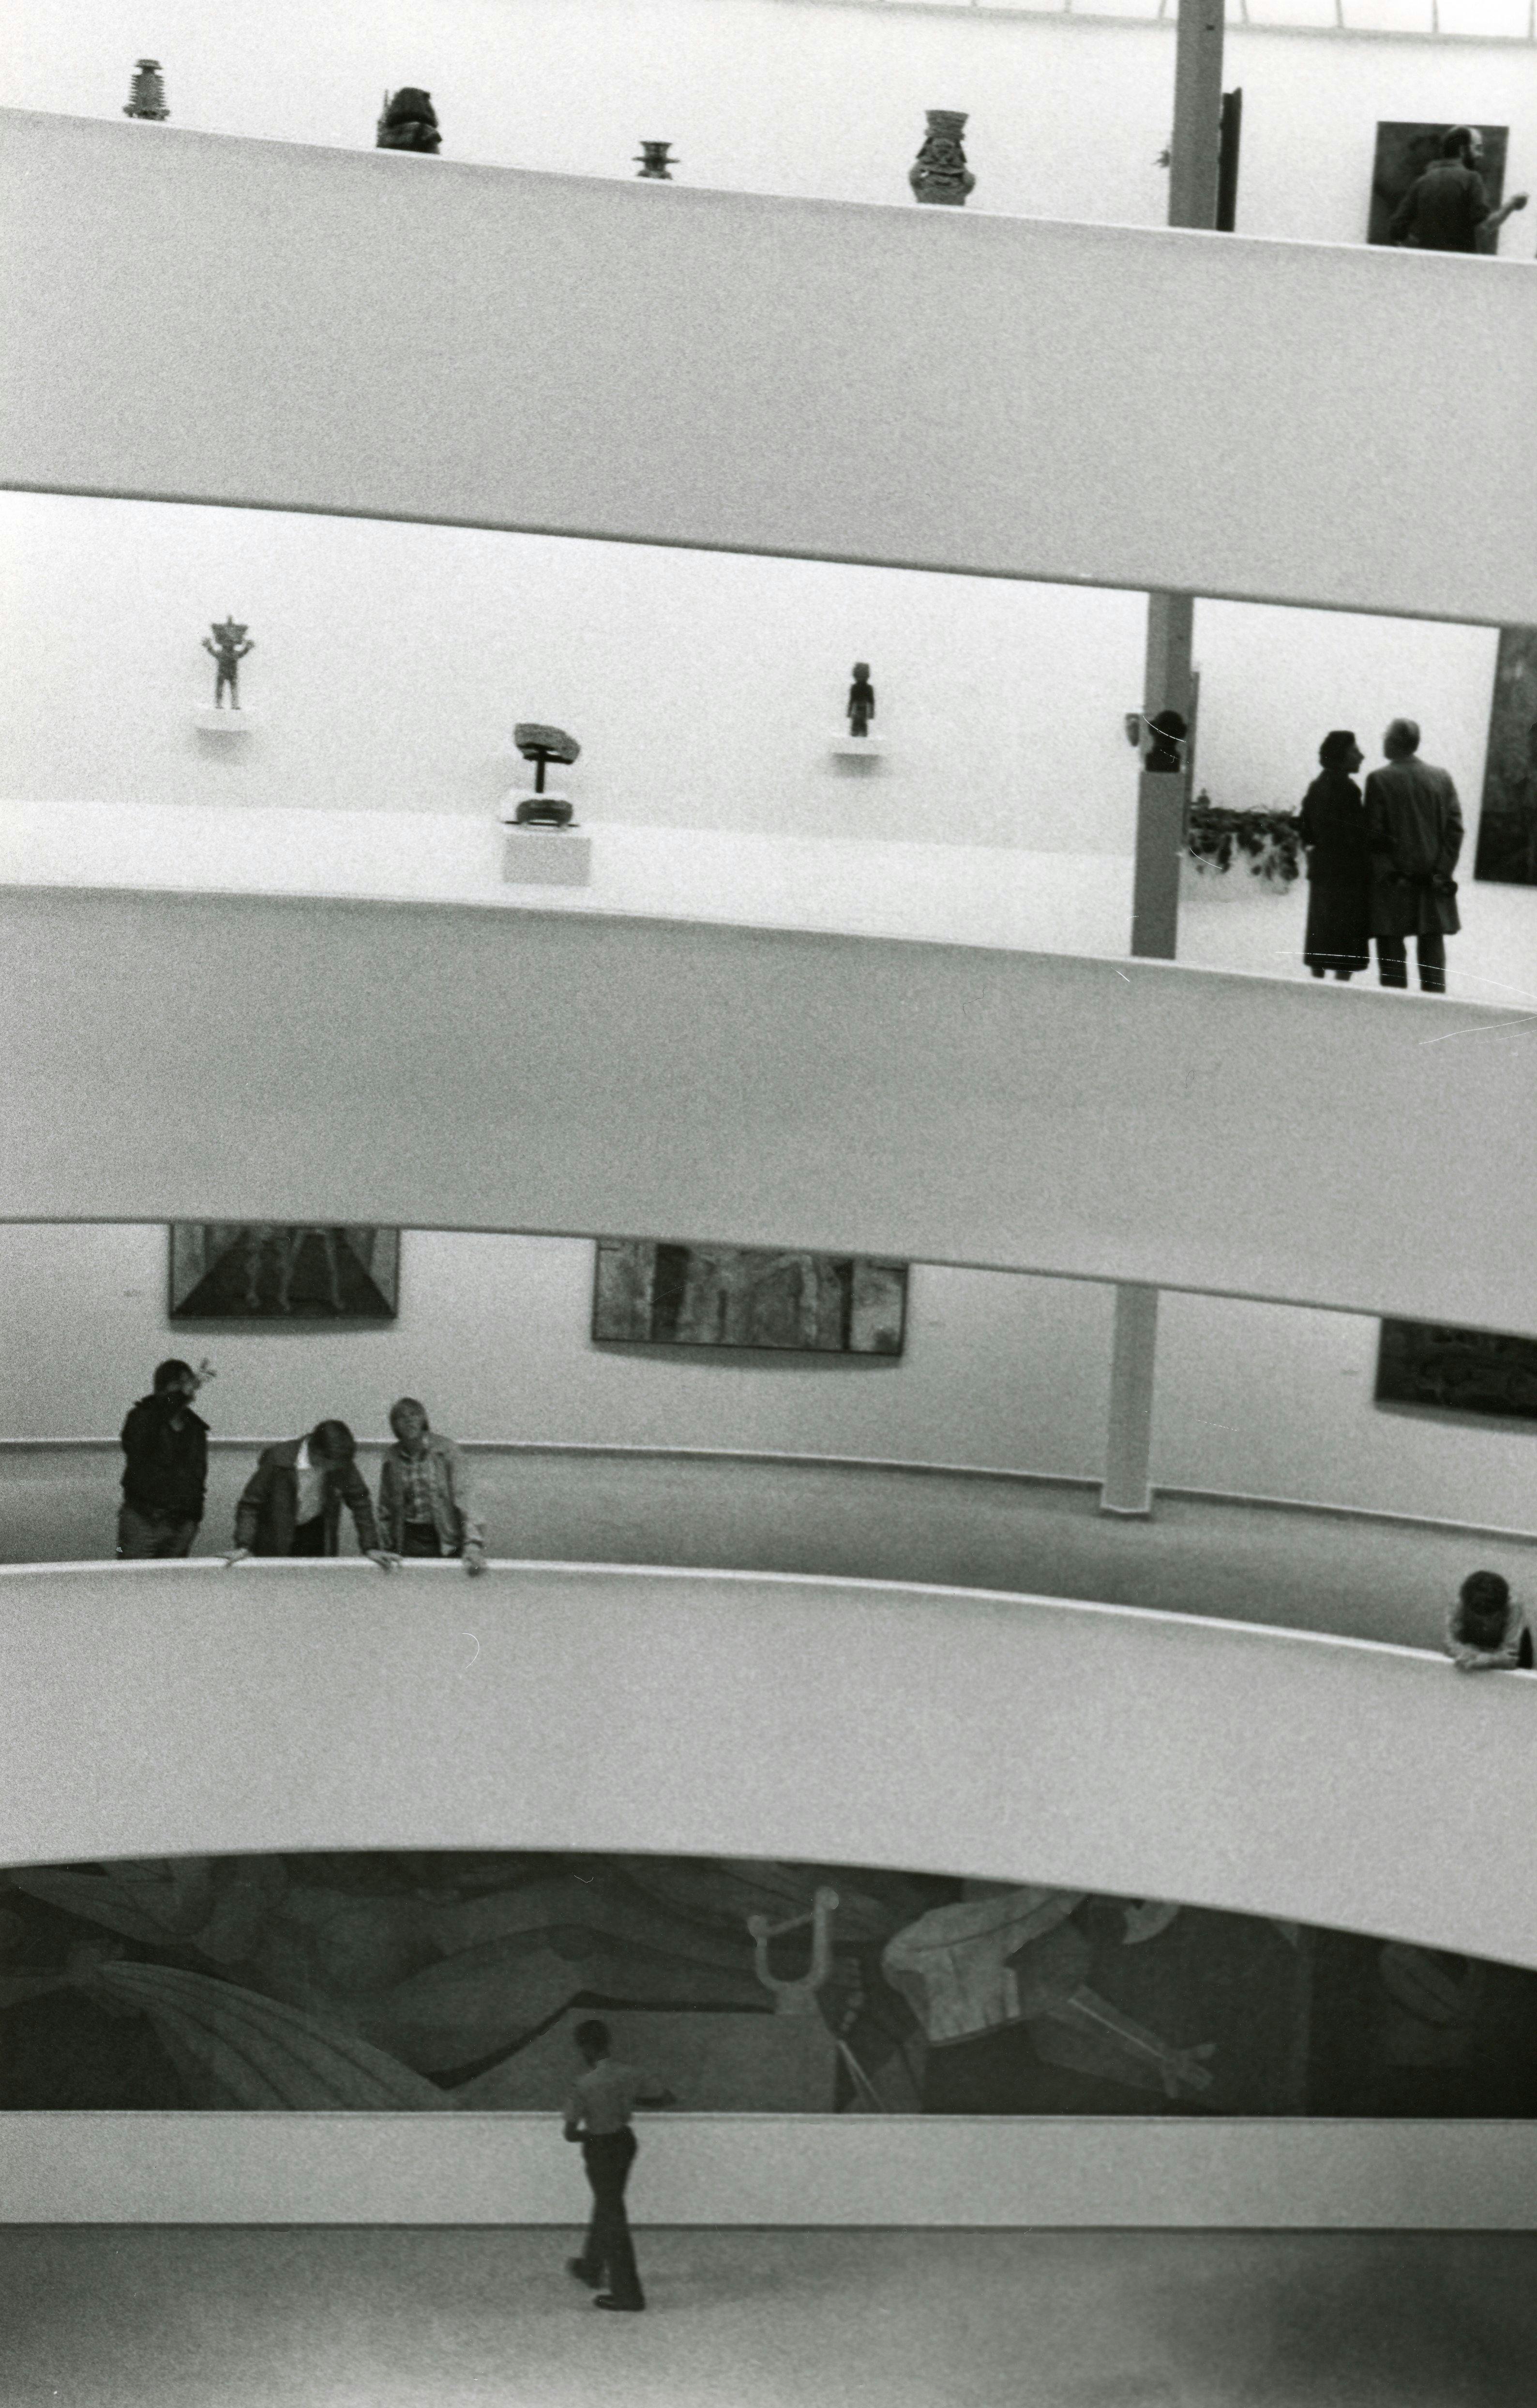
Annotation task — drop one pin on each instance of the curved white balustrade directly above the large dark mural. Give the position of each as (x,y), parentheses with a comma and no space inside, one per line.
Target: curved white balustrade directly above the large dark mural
(160,1711)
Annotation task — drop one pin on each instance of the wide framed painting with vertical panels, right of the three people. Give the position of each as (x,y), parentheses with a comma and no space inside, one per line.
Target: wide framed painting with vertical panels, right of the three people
(656,1294)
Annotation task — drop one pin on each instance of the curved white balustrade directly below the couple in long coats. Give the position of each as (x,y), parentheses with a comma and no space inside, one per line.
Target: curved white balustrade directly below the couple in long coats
(946,1104)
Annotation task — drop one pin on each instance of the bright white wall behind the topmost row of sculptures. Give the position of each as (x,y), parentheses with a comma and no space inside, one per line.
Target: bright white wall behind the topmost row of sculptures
(789,95)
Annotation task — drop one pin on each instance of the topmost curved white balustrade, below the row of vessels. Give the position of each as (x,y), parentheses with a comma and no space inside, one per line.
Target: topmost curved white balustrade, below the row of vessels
(211,319)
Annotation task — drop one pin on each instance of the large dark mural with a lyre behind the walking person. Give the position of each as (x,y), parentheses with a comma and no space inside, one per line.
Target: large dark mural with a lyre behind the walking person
(442,1983)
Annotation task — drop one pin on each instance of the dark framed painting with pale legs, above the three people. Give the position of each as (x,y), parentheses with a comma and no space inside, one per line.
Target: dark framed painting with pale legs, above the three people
(283,1273)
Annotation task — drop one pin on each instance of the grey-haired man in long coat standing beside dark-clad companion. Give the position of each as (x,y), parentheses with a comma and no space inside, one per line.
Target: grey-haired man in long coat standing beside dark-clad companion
(1415,837)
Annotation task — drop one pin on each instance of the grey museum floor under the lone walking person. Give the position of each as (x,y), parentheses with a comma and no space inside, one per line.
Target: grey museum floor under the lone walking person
(384,2318)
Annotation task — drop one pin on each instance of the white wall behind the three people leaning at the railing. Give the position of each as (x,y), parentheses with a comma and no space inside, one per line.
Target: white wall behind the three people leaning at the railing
(1001,1371)
